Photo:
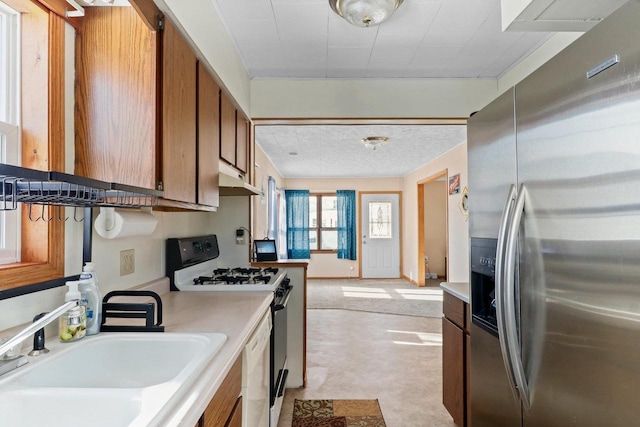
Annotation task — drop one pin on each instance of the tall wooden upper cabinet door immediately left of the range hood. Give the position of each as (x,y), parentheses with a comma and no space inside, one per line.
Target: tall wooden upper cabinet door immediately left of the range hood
(208,138)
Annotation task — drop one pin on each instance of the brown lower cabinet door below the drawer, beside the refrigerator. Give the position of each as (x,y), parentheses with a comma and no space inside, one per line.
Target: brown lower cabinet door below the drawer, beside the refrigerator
(453,371)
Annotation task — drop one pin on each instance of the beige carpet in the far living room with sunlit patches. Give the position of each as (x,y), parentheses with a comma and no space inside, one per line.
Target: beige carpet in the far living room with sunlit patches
(390,296)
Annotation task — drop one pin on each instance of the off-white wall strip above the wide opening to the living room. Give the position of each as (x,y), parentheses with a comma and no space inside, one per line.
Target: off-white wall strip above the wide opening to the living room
(370,98)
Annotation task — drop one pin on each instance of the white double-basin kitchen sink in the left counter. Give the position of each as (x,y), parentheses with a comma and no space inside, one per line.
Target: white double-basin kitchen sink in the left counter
(112,379)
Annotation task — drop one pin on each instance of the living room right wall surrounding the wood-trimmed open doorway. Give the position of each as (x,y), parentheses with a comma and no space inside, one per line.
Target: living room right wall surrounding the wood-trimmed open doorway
(455,161)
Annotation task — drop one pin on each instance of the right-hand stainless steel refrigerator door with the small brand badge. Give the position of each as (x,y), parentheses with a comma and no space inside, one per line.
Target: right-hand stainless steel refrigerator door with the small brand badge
(579,159)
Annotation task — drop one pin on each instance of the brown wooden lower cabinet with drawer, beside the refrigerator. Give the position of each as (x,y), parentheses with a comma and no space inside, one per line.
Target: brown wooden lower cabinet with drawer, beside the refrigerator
(456,345)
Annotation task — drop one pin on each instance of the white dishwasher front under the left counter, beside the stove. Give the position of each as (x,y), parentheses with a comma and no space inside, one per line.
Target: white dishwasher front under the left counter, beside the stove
(255,376)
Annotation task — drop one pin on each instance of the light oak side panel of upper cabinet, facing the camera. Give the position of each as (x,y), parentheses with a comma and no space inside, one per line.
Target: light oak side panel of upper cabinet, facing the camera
(116,95)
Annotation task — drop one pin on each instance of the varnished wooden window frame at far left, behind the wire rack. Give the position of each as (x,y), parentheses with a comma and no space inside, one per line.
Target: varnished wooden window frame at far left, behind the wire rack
(42,71)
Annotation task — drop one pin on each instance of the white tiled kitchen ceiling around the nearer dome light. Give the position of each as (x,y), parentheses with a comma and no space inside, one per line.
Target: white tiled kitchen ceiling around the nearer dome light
(424,38)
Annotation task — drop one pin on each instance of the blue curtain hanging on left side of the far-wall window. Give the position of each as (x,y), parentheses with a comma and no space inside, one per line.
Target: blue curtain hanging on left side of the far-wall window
(297,224)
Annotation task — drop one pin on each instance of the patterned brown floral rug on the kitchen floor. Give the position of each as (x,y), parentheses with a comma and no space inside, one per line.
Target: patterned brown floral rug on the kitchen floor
(337,413)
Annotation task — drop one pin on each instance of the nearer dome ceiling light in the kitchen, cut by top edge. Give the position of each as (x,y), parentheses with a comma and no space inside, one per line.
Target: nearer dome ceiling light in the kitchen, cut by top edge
(365,13)
